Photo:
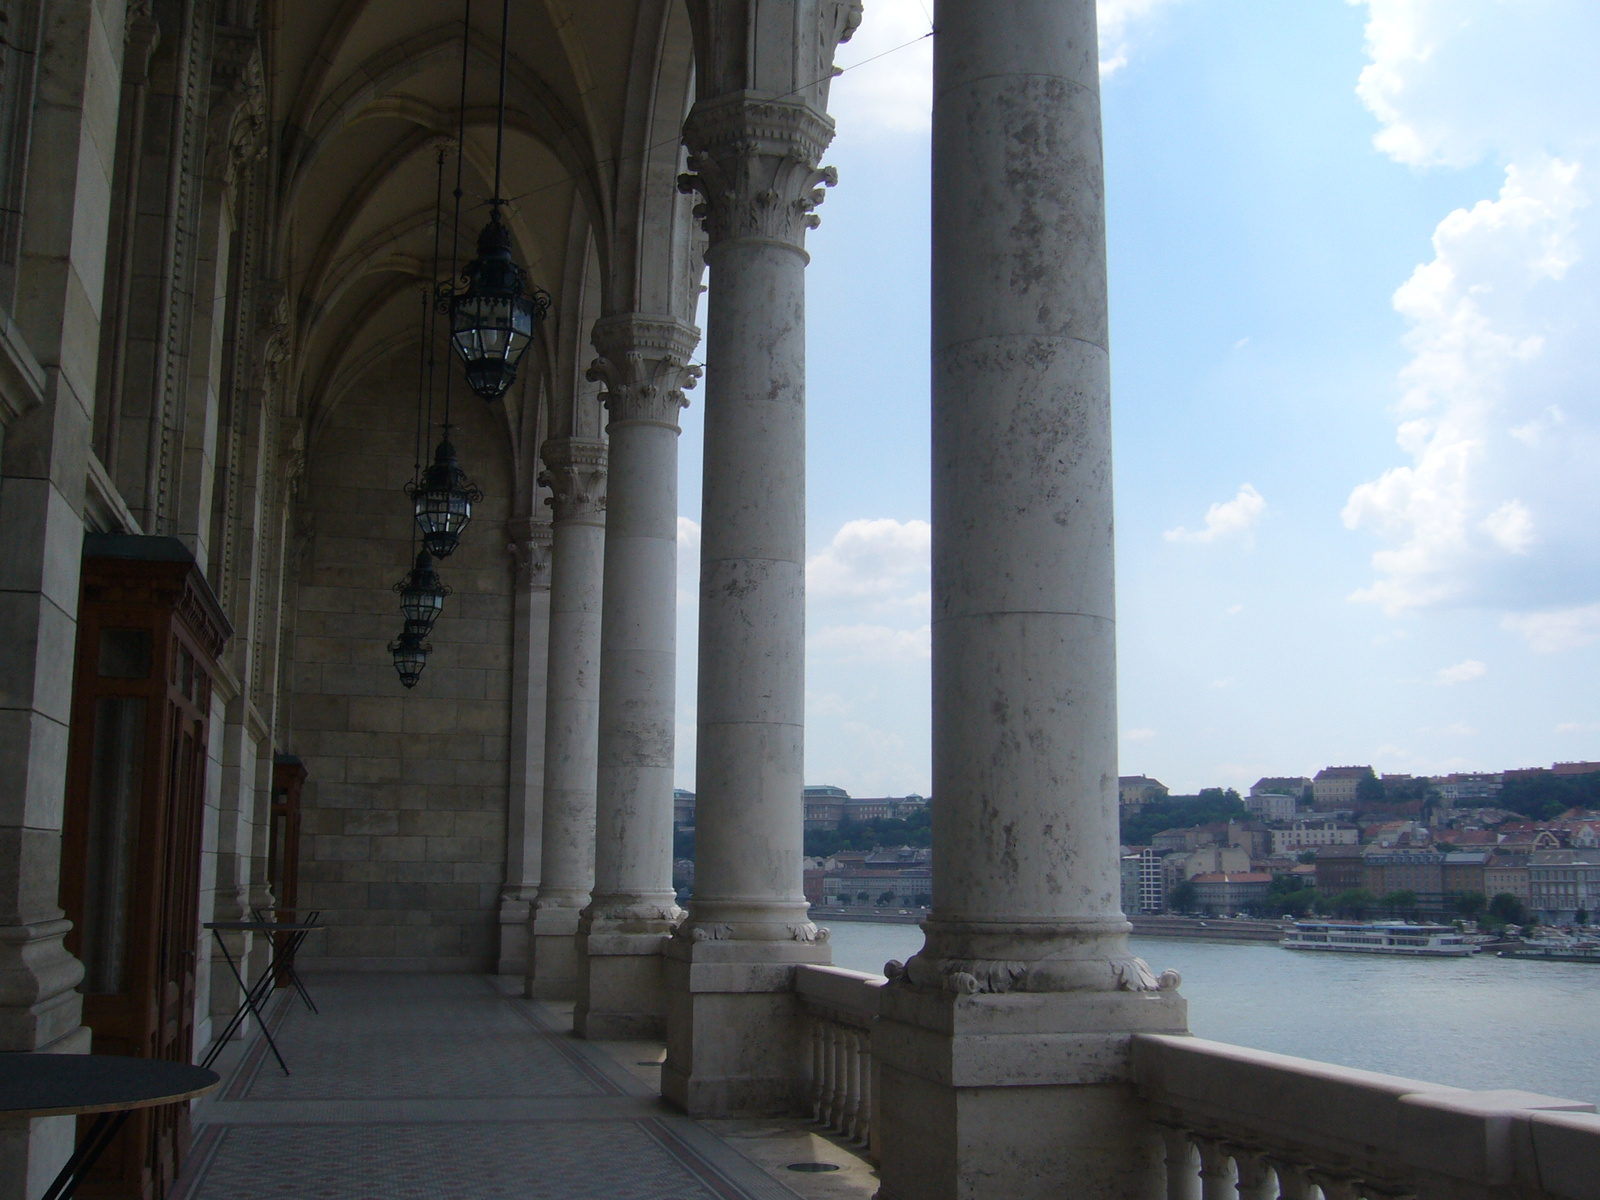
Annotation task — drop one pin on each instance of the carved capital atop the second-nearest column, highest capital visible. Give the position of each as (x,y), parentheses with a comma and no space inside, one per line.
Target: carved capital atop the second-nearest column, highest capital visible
(756,166)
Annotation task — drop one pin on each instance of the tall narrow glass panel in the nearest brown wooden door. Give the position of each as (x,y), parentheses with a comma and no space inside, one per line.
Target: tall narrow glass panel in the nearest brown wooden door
(116,780)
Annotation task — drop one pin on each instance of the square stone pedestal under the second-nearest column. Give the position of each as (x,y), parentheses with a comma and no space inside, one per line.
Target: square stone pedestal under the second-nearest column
(734,1025)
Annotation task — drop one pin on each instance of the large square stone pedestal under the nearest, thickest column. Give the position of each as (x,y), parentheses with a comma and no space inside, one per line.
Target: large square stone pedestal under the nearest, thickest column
(1018,1095)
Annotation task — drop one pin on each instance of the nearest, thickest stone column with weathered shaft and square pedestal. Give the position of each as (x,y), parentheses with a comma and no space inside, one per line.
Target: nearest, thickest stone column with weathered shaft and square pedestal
(1004,1044)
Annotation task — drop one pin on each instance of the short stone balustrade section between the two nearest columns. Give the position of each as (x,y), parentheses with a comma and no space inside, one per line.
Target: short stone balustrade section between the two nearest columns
(839,1086)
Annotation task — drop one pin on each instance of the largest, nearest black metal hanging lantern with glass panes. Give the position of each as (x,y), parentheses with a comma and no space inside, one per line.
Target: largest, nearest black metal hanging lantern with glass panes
(492,318)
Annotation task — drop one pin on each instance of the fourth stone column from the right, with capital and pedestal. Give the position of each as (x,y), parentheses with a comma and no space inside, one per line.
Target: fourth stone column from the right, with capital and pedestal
(577,478)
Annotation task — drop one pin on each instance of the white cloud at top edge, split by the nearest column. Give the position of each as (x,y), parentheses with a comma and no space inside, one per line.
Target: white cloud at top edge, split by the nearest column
(889,65)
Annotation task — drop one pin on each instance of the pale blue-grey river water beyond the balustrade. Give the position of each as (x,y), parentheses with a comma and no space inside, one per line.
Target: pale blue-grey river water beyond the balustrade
(1474,1023)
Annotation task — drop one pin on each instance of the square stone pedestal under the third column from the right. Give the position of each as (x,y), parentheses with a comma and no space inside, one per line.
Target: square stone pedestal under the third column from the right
(622,993)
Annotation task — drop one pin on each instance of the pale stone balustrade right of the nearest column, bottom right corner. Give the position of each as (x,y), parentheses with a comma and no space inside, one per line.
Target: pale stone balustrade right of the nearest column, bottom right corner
(1270,1126)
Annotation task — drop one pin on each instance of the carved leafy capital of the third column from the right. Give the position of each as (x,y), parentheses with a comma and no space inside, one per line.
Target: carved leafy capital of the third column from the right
(646,367)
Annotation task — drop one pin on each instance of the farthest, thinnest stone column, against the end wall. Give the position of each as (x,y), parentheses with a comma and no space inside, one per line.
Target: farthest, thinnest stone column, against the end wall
(530,546)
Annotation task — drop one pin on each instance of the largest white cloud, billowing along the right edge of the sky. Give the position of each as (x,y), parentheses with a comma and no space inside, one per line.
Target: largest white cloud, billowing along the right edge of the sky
(1494,510)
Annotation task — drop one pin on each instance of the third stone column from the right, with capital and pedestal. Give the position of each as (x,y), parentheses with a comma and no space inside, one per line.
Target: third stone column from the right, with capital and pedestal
(646,367)
